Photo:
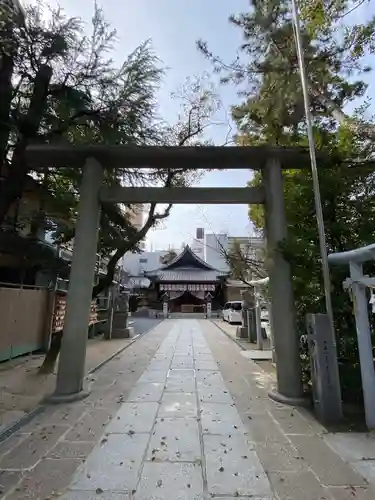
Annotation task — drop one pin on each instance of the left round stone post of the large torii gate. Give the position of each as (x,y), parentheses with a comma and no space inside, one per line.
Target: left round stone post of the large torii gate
(71,368)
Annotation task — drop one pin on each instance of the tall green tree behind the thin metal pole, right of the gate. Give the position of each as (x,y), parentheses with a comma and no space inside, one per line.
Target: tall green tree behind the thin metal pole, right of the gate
(272,114)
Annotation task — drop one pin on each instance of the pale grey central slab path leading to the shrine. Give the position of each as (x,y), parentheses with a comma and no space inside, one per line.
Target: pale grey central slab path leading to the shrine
(178,436)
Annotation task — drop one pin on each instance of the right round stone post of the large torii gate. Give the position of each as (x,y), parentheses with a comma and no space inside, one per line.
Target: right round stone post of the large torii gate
(288,363)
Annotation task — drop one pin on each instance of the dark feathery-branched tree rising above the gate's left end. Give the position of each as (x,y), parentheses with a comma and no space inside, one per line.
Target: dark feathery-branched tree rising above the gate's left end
(65,87)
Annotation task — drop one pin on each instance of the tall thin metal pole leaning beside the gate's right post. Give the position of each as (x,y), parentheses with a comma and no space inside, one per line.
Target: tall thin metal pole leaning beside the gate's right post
(314,169)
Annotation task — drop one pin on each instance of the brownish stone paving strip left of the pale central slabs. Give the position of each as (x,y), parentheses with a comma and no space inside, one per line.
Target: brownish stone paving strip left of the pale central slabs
(39,460)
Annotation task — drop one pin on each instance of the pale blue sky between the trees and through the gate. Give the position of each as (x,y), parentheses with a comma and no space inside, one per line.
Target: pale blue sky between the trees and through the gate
(174,26)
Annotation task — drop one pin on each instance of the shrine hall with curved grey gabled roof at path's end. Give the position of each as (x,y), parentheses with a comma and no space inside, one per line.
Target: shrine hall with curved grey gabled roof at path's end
(188,282)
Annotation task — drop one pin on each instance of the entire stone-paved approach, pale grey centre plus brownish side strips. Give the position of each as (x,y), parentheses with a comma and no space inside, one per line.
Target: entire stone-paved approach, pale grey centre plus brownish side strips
(191,420)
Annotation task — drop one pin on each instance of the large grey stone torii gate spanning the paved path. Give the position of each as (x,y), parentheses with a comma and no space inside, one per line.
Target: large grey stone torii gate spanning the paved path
(95,158)
